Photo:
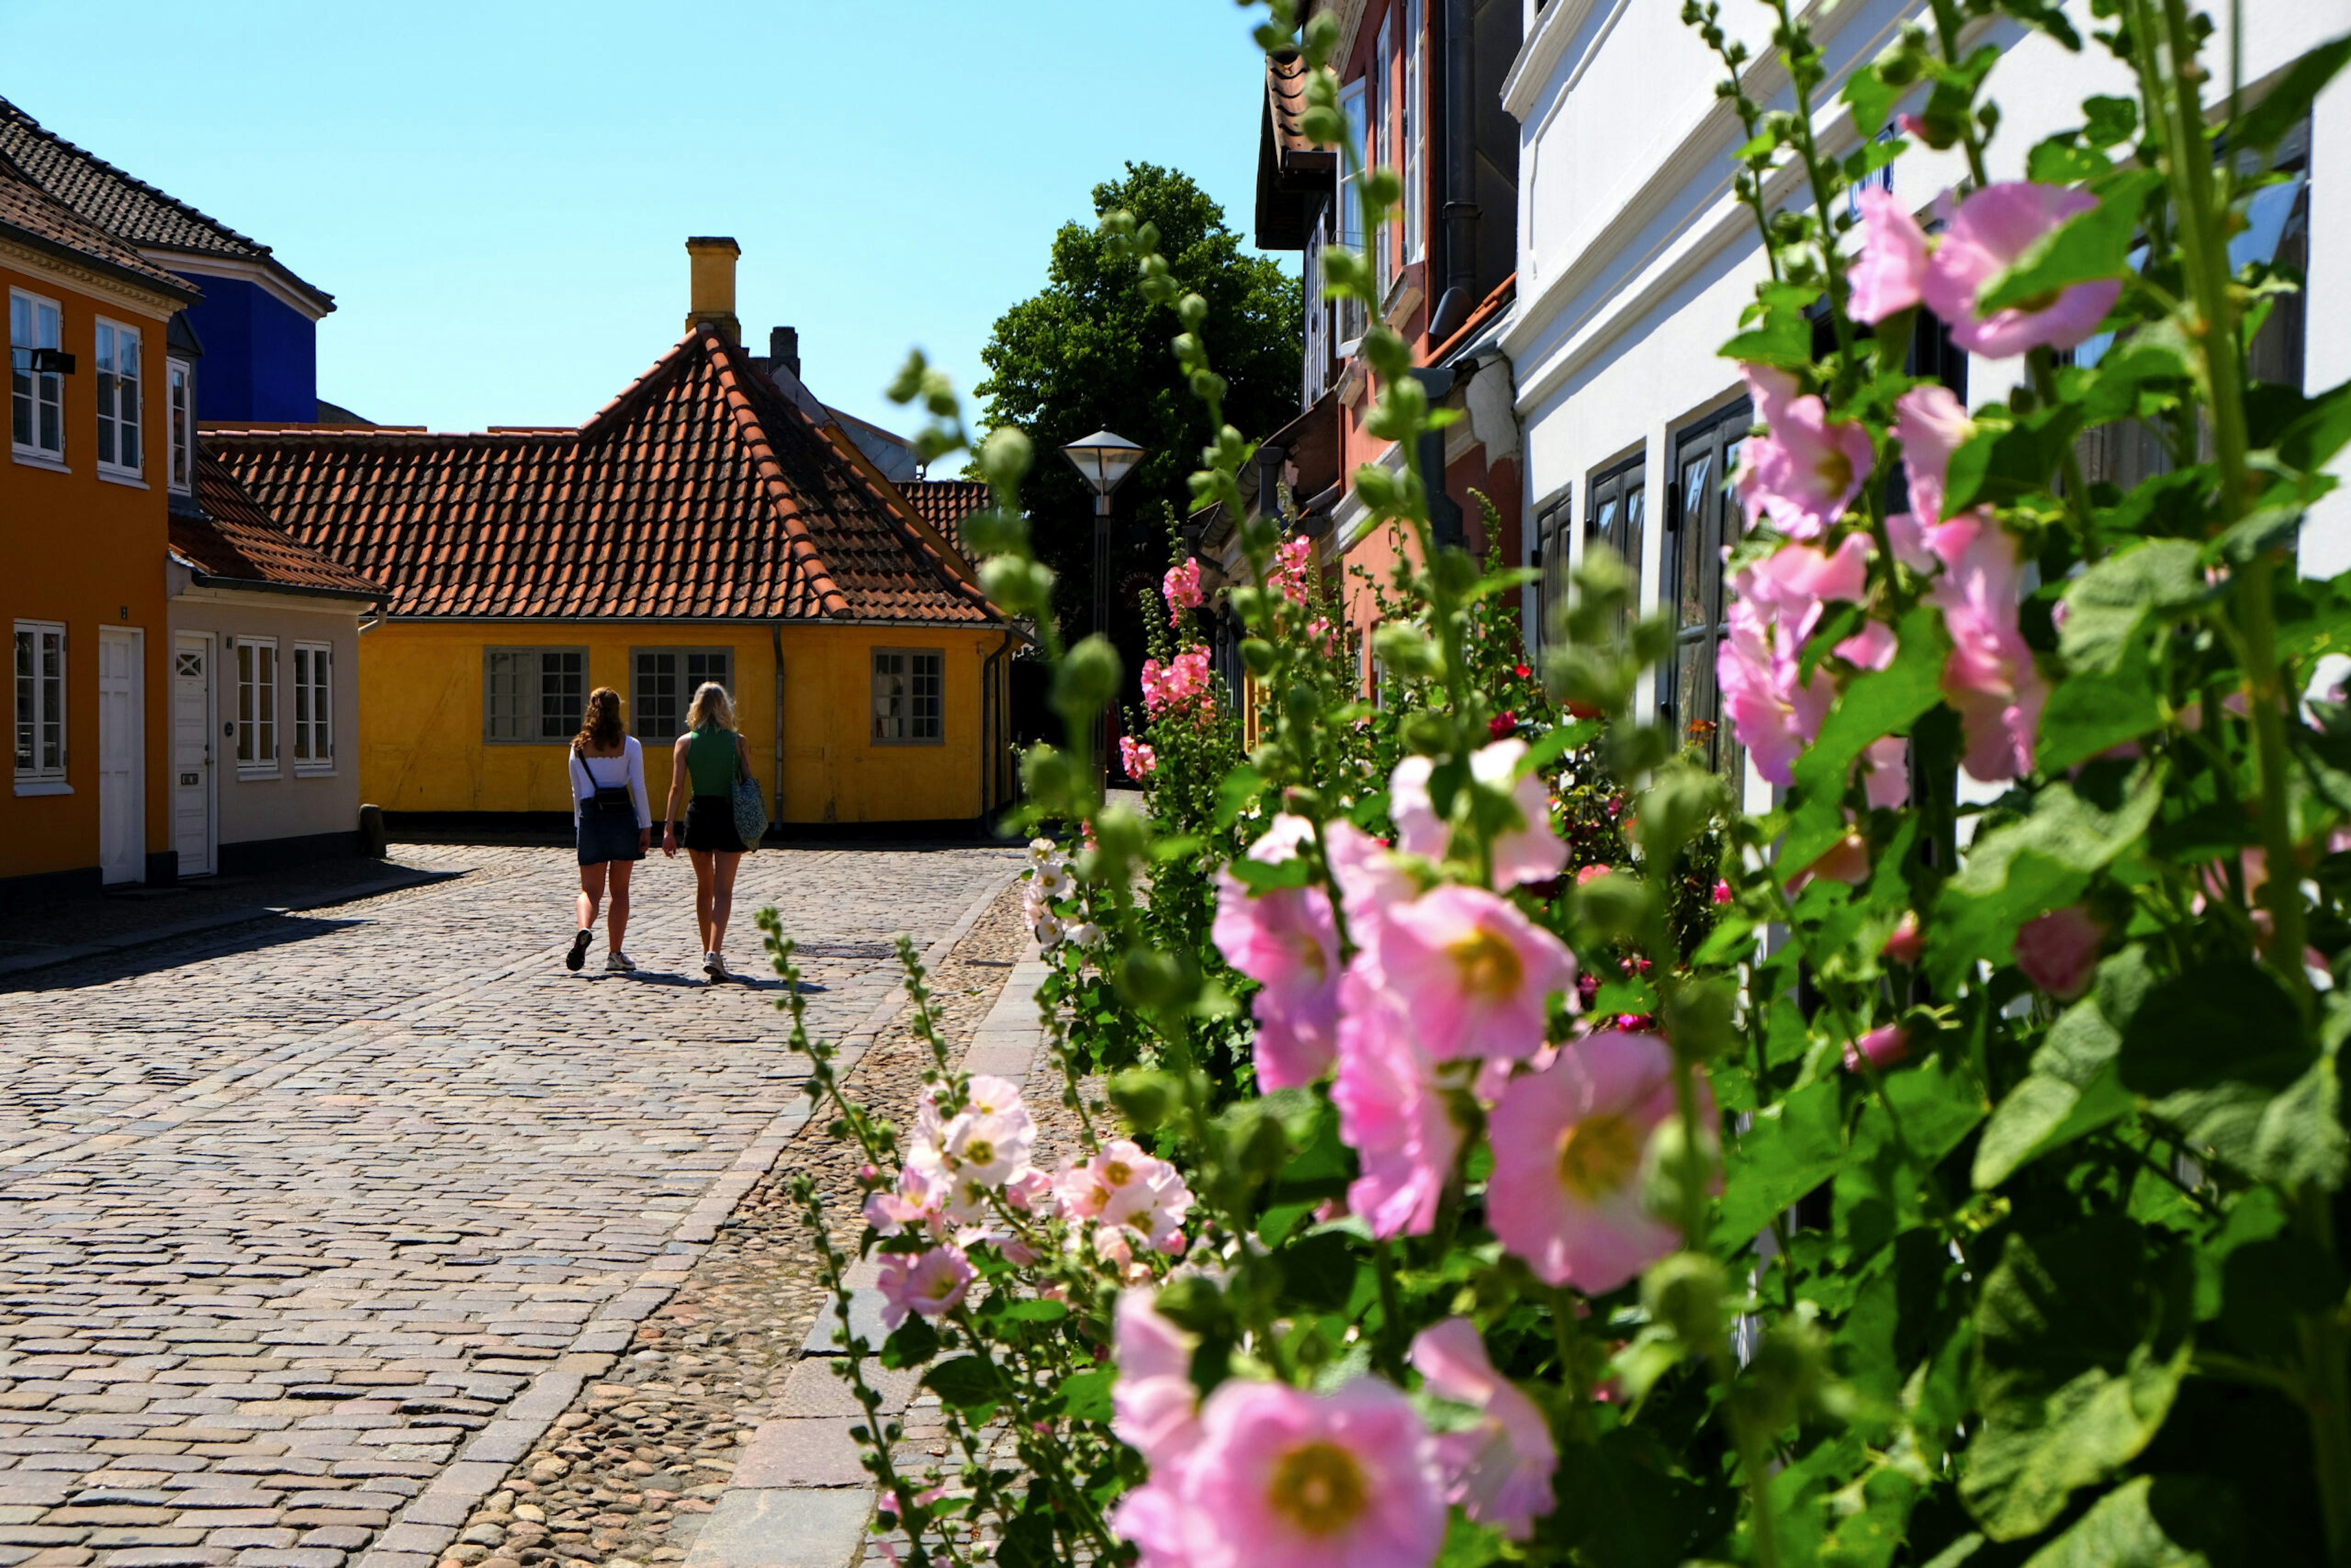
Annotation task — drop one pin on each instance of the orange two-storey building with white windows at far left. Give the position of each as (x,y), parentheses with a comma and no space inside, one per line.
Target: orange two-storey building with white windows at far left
(86,528)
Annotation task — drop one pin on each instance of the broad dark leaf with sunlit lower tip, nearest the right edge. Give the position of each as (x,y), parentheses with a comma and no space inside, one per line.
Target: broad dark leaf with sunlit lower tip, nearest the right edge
(2213,1050)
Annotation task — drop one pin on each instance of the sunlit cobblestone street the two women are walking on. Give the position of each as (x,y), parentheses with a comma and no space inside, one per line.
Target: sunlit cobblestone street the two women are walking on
(321,1221)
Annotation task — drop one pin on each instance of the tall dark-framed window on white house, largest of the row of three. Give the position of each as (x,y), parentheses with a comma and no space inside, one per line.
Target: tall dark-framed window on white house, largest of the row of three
(1701,523)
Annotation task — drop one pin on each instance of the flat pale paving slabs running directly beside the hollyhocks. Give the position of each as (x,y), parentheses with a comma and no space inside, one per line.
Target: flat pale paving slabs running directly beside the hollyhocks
(801,1494)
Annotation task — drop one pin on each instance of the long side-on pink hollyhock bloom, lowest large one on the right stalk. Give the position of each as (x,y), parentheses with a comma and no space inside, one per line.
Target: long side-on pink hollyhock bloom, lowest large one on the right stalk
(1990,676)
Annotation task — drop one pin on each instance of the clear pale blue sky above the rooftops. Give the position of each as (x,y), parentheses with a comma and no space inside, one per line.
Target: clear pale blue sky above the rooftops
(500,192)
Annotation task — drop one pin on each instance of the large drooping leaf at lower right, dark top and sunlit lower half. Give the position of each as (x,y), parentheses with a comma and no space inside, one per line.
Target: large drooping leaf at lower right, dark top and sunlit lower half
(2079,1355)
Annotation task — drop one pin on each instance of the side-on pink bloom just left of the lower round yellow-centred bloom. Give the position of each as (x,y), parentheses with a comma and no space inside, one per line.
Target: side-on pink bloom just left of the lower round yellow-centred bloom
(1391,1113)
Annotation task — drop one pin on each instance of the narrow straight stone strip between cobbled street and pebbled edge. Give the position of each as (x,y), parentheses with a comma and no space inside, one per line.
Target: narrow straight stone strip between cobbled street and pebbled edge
(429,1525)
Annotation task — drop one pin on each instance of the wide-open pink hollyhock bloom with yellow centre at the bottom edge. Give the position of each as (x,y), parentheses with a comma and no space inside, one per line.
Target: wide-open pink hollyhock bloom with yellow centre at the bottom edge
(1292,1480)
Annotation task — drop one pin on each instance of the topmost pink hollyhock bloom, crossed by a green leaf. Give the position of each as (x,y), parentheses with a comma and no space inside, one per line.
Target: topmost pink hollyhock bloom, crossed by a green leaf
(1990,232)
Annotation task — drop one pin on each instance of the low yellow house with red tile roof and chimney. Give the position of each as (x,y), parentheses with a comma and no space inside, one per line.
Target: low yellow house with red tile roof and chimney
(711,523)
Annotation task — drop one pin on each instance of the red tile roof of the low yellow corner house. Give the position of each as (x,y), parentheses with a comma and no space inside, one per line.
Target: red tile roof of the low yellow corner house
(699,492)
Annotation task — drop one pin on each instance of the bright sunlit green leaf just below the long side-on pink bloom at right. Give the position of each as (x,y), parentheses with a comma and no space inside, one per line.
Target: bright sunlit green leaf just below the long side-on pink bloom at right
(2030,869)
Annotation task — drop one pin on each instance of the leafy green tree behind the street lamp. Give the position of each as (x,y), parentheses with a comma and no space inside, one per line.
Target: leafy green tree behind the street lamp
(1090,354)
